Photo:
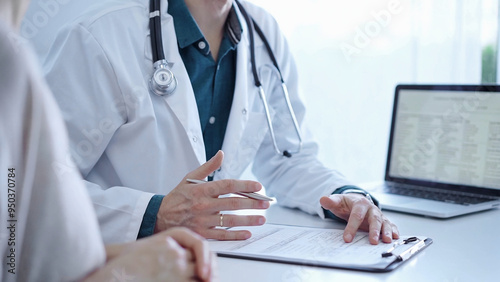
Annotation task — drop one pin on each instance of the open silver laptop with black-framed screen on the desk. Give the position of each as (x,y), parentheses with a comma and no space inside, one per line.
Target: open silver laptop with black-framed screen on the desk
(444,151)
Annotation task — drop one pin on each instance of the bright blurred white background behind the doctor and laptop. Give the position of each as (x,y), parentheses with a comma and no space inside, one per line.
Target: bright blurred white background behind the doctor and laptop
(351,55)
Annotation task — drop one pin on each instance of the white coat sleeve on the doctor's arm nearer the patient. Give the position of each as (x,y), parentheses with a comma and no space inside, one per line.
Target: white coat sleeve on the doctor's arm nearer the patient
(86,88)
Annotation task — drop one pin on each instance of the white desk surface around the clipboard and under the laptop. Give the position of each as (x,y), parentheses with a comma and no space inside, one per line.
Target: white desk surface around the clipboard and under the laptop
(466,248)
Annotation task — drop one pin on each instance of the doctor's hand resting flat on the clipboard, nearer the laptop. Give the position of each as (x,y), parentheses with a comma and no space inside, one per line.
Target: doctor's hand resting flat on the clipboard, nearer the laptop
(360,213)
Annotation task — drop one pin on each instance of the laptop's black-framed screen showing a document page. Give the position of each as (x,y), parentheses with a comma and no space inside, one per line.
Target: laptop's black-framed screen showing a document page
(446,134)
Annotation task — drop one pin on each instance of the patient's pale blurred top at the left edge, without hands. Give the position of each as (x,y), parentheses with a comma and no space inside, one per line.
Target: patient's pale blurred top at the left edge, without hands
(55,235)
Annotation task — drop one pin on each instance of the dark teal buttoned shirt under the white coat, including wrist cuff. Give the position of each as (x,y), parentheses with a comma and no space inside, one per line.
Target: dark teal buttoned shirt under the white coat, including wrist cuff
(213,84)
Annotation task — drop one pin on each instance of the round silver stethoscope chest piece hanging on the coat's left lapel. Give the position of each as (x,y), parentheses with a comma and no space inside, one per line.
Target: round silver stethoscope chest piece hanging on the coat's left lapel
(163,81)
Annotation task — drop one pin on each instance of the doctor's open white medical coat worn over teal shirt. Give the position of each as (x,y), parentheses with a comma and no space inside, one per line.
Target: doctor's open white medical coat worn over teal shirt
(131,144)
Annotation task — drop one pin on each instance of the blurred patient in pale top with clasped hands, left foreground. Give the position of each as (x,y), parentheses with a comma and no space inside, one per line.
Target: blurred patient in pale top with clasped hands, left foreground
(48,226)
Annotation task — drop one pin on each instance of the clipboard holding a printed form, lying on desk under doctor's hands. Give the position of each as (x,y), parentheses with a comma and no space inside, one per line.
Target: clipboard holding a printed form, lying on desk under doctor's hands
(320,247)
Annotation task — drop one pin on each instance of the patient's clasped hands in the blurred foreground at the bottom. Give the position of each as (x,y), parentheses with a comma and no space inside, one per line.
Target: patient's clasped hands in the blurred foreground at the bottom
(174,255)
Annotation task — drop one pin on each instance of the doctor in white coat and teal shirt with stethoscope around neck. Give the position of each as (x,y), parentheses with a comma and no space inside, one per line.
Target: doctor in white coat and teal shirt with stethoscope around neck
(136,141)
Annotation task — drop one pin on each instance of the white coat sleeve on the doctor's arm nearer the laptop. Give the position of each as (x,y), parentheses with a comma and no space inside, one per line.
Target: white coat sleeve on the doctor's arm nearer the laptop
(299,181)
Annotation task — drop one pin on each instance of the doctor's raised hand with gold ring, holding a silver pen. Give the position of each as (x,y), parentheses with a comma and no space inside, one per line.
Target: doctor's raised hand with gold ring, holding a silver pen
(198,207)
